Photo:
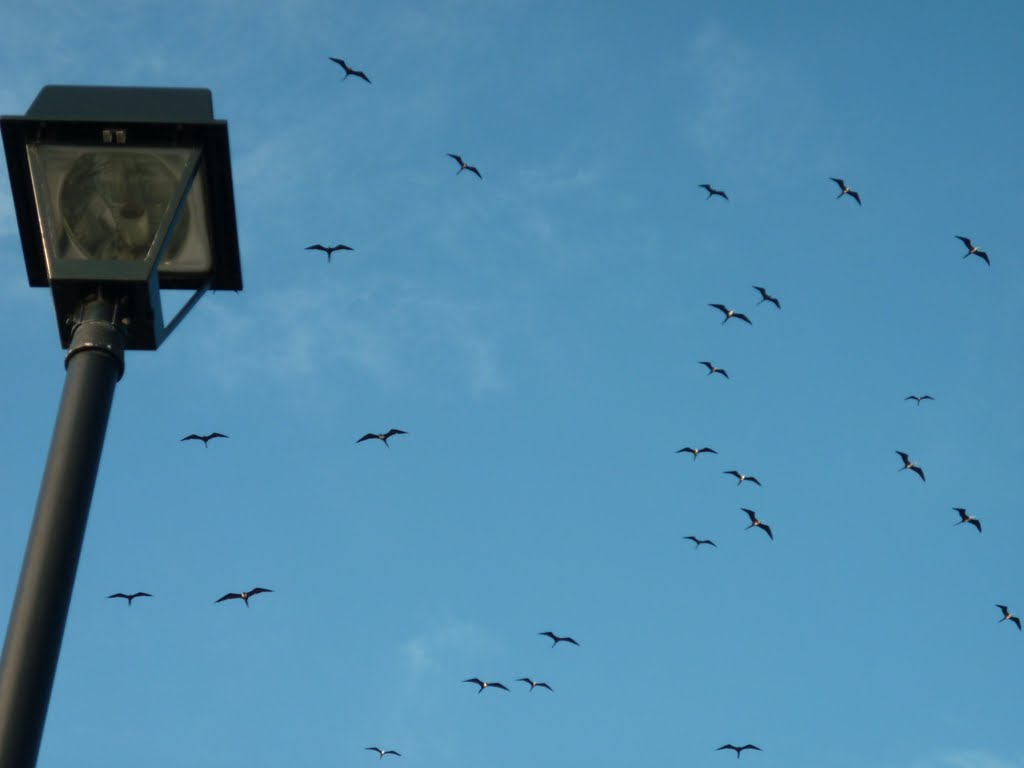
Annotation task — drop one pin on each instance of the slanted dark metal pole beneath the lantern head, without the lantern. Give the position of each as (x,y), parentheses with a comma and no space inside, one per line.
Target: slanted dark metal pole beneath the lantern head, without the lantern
(95,363)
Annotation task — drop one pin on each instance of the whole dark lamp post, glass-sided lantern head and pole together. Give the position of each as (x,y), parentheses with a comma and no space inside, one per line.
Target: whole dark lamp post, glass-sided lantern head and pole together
(119,193)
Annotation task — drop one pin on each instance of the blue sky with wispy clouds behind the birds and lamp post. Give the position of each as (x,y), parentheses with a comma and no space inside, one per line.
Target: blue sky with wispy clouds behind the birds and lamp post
(538,335)
